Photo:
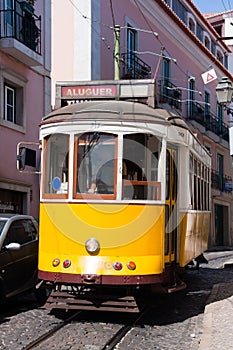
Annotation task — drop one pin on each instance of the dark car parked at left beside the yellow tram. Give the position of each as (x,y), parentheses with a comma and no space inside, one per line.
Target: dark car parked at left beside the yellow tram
(18,254)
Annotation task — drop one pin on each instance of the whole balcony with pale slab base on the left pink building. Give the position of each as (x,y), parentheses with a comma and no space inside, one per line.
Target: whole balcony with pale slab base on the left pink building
(20,33)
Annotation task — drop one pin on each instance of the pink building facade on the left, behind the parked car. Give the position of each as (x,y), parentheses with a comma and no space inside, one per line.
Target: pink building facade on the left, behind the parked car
(25,96)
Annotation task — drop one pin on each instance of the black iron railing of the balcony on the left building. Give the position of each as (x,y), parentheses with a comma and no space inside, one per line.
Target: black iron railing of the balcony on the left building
(21,24)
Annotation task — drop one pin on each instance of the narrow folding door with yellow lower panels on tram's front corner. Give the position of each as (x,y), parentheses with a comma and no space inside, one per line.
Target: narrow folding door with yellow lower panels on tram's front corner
(170,205)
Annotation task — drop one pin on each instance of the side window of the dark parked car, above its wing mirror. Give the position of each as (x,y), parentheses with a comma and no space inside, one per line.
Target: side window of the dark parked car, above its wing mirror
(21,231)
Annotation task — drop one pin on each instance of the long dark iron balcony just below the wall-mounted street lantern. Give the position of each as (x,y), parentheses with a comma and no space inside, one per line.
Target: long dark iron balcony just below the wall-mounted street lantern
(208,120)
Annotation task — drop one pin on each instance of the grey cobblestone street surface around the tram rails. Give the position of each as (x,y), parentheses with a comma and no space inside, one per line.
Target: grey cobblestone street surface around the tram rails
(173,321)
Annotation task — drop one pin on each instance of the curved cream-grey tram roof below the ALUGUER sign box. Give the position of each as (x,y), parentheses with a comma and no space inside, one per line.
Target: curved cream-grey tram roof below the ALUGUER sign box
(118,111)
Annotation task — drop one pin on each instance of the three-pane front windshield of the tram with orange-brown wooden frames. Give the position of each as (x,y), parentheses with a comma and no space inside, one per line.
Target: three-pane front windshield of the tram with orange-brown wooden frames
(105,166)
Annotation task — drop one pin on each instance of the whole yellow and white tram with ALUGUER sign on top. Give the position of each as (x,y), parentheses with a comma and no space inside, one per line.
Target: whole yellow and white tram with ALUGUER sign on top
(125,191)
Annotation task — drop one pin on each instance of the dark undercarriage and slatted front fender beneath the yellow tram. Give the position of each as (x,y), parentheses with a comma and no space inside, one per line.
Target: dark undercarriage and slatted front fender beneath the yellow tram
(93,295)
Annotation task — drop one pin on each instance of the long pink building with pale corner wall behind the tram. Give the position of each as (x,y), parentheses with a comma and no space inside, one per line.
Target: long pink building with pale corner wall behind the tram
(170,41)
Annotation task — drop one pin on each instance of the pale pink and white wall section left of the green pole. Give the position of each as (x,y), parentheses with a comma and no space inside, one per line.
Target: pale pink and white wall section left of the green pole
(76,36)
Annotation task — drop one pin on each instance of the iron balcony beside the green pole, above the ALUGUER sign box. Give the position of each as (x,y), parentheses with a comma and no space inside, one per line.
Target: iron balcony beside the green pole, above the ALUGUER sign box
(134,67)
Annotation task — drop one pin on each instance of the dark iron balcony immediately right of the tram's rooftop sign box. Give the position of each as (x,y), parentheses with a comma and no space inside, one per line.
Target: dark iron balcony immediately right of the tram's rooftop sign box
(170,93)
